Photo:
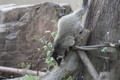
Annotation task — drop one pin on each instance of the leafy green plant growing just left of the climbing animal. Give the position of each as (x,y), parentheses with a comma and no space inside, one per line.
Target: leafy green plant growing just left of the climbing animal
(48,47)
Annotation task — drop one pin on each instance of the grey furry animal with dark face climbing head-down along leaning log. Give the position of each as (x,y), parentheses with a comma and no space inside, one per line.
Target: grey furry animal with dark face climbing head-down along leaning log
(69,27)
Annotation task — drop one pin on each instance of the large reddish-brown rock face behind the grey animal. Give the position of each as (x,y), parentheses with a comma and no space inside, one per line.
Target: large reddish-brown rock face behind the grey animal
(18,24)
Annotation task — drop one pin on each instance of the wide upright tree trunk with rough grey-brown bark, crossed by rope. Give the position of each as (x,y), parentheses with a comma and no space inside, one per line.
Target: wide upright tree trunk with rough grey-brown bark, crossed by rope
(103,20)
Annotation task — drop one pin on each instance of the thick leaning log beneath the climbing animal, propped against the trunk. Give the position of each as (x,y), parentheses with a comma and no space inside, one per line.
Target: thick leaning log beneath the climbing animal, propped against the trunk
(71,64)
